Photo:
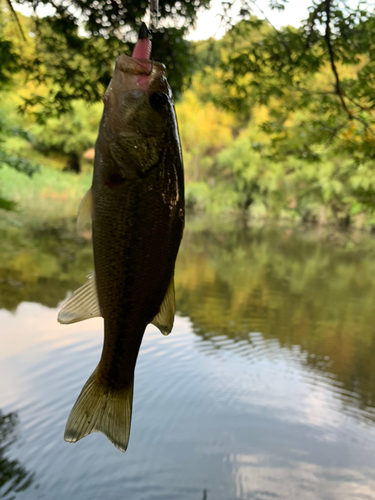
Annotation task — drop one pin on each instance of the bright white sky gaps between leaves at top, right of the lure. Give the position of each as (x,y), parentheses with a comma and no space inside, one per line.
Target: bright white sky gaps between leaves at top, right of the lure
(208,24)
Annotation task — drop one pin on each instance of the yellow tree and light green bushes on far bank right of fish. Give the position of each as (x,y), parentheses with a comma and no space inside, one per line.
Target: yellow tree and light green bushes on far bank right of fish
(231,166)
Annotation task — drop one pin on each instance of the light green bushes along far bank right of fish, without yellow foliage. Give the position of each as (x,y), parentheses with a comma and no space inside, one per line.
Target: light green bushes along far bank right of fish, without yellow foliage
(331,190)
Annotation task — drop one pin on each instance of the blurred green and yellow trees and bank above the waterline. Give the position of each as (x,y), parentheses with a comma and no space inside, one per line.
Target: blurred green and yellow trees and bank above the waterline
(276,121)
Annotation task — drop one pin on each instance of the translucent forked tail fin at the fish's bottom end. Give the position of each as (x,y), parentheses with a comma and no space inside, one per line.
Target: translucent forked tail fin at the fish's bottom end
(101,409)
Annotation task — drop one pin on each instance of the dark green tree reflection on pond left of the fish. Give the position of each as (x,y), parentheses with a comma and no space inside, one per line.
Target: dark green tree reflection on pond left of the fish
(40,266)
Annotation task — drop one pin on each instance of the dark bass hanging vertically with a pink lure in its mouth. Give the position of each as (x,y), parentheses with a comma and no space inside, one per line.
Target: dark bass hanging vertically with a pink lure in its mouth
(136,208)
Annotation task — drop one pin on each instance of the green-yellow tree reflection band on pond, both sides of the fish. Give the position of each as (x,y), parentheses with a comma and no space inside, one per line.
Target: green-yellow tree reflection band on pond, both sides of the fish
(314,296)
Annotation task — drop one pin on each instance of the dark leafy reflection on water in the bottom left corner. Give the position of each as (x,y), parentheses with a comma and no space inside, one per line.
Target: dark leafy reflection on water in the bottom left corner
(14,478)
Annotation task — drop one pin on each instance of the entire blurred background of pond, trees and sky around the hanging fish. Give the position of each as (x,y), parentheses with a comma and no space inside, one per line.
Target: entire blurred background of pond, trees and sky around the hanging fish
(266,386)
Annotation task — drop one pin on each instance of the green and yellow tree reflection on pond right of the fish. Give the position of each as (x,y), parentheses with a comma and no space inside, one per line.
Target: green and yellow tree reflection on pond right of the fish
(315,297)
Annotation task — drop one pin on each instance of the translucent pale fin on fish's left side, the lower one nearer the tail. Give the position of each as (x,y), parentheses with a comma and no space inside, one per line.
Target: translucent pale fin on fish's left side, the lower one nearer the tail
(82,305)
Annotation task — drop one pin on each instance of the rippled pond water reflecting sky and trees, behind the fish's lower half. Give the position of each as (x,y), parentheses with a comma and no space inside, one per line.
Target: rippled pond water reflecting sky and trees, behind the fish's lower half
(265,389)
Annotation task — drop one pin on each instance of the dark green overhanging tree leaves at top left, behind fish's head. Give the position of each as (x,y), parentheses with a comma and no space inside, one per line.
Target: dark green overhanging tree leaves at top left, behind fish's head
(75,47)
